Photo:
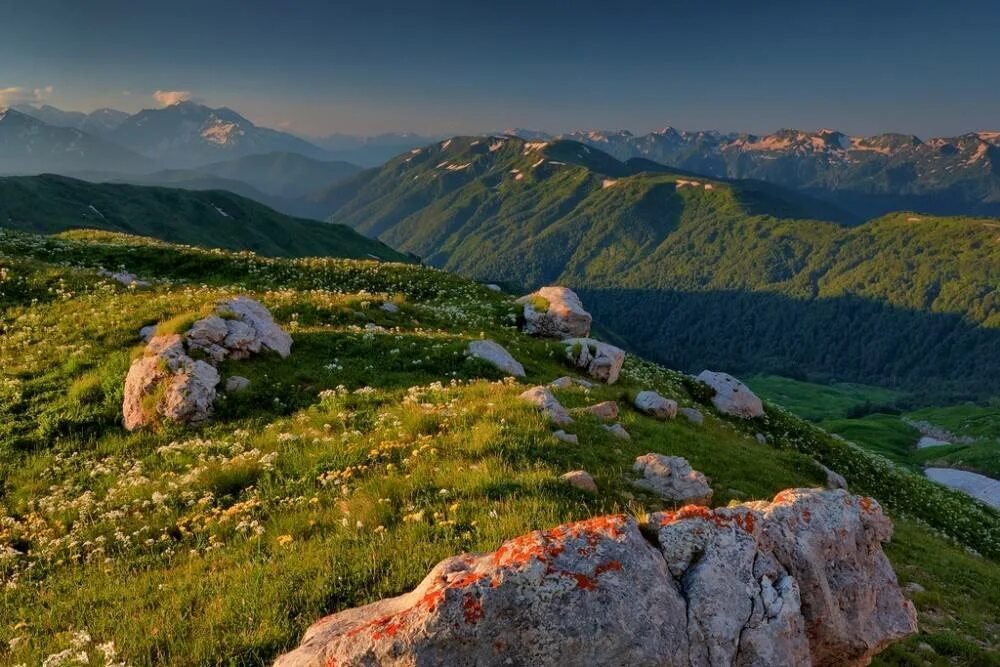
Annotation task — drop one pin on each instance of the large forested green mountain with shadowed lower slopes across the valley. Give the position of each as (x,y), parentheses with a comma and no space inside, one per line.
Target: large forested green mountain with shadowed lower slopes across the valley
(701,272)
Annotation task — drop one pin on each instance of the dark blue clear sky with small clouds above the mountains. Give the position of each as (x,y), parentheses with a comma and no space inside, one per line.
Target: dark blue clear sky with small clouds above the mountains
(316,68)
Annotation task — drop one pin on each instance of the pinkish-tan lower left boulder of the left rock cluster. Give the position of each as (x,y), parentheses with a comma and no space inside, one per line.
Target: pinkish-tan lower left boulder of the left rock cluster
(166,383)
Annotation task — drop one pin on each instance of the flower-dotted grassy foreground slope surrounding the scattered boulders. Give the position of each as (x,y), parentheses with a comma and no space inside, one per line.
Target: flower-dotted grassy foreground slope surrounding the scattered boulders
(348,469)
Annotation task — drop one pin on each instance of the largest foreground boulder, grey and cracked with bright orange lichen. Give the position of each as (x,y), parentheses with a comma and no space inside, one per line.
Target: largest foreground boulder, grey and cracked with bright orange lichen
(801,580)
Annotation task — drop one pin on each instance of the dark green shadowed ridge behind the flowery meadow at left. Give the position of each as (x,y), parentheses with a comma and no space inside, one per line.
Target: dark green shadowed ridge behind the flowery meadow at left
(214,219)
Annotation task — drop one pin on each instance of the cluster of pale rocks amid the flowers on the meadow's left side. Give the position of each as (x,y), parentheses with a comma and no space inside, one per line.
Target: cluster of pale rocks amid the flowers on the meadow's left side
(167,383)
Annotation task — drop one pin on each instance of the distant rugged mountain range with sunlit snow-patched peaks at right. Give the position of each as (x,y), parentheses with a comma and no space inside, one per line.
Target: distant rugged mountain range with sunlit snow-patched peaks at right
(868,176)
